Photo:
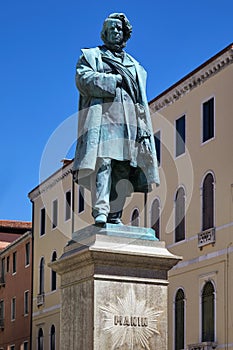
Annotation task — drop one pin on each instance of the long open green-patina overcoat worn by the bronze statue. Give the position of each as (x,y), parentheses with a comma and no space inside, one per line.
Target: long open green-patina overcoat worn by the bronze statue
(95,86)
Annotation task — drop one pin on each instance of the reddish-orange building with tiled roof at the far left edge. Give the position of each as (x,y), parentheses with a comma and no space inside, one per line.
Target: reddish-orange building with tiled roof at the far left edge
(16,287)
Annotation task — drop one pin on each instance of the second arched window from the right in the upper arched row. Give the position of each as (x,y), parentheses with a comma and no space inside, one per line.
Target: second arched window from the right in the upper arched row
(180,215)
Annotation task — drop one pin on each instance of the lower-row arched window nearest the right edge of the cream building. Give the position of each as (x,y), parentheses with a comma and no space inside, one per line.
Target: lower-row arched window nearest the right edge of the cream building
(208,312)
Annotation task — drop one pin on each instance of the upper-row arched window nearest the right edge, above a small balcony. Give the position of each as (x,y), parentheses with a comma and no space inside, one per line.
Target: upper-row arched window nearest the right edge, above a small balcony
(208,202)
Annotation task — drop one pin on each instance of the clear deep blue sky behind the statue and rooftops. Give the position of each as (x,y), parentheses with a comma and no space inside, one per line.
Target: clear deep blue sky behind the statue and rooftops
(40,45)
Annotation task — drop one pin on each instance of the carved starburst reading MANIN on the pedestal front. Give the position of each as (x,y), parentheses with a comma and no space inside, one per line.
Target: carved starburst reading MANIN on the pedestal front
(130,322)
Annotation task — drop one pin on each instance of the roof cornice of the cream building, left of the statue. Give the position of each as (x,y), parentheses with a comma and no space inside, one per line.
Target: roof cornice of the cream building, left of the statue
(51,181)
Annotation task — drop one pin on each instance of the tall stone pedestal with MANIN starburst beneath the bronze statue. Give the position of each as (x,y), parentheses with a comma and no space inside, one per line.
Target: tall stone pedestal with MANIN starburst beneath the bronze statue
(114,289)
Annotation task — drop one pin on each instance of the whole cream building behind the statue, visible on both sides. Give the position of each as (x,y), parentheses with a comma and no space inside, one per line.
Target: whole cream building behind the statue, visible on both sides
(191,211)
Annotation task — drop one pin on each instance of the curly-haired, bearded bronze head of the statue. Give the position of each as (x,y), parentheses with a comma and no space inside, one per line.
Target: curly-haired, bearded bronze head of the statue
(124,28)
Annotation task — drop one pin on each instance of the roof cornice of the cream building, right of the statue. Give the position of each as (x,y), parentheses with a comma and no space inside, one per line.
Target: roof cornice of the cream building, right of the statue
(193,80)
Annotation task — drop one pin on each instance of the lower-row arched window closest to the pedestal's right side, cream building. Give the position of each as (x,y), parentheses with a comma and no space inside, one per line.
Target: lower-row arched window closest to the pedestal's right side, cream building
(179,320)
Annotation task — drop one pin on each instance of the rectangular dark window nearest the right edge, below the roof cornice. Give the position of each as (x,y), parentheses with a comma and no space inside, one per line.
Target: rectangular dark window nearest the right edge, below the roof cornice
(208,120)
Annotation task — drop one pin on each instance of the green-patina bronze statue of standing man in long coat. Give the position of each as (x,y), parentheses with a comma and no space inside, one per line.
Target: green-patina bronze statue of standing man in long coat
(115,153)
